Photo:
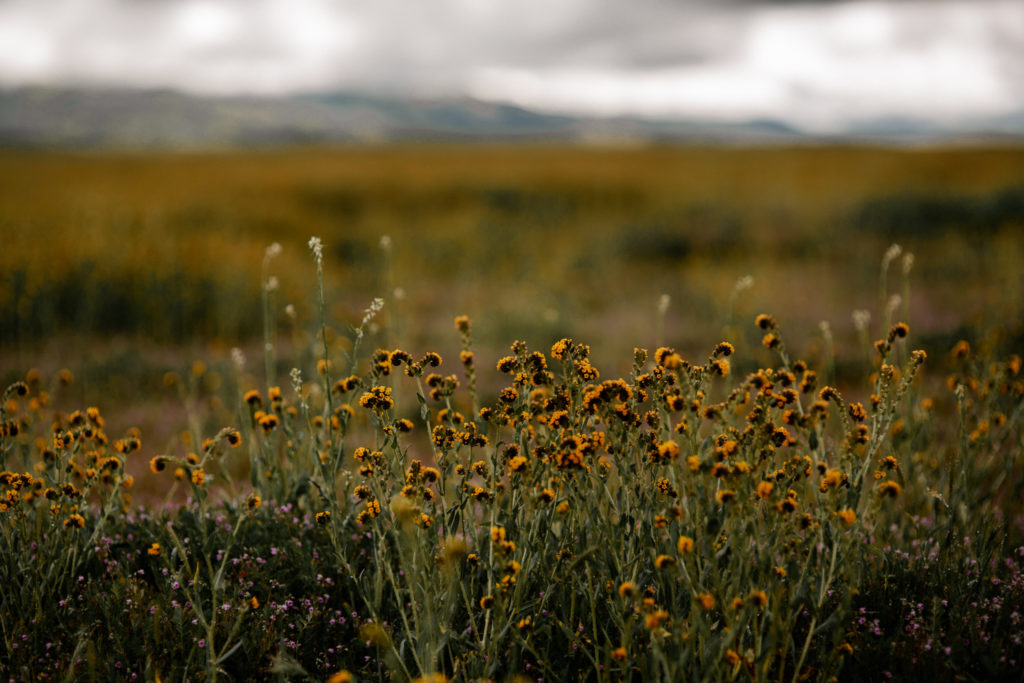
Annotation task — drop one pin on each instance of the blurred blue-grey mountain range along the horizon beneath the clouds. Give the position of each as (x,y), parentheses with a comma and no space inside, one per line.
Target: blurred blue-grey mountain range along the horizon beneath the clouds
(33,117)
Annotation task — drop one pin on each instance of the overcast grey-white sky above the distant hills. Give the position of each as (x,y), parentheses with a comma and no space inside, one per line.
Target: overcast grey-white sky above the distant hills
(815,64)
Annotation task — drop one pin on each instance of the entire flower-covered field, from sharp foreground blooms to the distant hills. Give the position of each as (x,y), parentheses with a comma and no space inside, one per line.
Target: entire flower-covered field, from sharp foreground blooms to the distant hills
(533,416)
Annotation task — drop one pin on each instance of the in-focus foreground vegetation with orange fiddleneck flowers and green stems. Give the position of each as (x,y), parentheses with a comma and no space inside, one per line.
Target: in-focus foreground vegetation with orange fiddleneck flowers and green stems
(386,517)
